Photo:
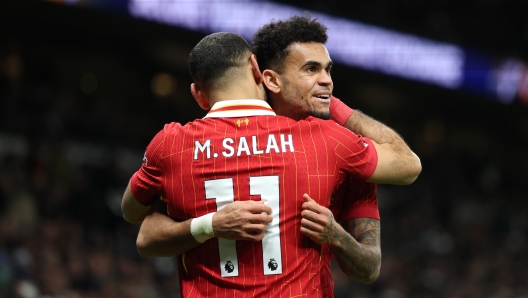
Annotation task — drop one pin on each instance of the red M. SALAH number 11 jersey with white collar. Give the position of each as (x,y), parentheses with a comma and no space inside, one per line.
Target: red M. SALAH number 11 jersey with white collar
(242,151)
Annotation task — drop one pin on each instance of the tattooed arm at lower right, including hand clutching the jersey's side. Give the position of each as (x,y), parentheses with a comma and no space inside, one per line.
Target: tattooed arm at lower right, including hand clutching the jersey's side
(358,253)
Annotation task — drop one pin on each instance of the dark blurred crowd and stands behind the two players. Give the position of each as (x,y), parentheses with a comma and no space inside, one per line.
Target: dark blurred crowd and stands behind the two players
(82,92)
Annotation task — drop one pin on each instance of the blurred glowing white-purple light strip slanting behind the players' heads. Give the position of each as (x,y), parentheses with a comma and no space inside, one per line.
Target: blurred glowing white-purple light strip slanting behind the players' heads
(352,43)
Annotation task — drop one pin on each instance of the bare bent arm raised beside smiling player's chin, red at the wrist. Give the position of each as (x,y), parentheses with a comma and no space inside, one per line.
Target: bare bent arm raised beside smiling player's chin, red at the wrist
(397,163)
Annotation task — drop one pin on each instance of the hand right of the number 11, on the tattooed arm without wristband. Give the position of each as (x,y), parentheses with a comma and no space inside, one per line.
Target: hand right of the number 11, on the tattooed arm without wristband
(318,222)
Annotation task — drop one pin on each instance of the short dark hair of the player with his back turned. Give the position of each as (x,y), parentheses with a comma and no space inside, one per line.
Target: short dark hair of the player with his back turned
(218,59)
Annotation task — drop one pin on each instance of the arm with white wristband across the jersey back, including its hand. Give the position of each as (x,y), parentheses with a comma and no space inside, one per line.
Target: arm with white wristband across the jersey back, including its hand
(160,235)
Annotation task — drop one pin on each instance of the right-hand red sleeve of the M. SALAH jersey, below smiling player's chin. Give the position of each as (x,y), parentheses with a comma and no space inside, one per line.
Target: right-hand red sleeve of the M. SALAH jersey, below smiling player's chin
(355,154)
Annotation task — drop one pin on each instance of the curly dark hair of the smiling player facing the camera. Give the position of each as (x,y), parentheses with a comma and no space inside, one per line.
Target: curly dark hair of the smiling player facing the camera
(271,41)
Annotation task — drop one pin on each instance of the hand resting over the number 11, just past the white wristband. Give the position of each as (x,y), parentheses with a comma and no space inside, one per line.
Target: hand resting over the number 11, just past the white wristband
(242,220)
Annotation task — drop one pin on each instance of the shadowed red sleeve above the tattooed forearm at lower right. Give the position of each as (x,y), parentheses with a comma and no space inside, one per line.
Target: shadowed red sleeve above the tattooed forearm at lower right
(360,201)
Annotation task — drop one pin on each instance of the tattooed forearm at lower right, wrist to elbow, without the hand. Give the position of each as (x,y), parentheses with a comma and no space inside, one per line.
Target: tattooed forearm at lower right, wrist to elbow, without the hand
(358,252)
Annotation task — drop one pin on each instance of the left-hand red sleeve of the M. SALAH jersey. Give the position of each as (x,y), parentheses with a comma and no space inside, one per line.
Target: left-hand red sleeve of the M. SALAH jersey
(147,181)
